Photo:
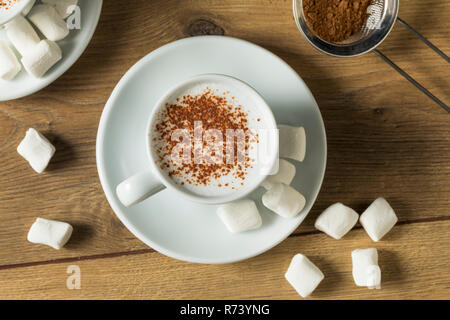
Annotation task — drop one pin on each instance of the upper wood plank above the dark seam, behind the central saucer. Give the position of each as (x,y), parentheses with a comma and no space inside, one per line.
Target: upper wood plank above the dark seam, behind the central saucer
(385,138)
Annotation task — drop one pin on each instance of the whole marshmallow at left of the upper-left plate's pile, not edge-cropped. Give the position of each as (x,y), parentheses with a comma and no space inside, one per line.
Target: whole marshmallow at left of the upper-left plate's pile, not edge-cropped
(22,35)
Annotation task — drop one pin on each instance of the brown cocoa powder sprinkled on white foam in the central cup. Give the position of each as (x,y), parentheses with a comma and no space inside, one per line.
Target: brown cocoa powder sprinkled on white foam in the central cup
(213,112)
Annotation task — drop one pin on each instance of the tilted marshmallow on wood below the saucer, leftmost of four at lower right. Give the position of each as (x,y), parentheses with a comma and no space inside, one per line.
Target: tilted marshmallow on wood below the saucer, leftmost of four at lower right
(303,275)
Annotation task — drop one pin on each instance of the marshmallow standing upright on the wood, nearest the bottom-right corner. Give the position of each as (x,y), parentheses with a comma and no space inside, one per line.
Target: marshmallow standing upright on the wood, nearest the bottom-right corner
(366,271)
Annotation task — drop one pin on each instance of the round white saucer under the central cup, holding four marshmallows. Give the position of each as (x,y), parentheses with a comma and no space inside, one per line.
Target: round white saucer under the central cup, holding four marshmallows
(176,227)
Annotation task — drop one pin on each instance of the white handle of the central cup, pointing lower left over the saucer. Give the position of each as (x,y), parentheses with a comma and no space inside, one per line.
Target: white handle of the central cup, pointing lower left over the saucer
(138,188)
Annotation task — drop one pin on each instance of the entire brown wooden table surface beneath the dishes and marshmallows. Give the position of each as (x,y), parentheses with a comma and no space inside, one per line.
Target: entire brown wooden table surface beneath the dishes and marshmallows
(385,138)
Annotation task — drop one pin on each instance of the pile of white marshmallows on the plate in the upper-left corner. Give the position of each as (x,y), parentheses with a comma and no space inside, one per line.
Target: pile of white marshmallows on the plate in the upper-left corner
(37,56)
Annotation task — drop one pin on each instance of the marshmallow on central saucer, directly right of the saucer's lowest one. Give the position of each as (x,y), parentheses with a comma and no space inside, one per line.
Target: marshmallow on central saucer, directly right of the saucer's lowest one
(284,200)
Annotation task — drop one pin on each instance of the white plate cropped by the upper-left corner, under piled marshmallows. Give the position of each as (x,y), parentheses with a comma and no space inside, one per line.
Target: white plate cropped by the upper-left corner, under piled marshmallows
(72,47)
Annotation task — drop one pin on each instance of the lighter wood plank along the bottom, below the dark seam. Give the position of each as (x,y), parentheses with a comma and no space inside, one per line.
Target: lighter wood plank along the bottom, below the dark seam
(408,258)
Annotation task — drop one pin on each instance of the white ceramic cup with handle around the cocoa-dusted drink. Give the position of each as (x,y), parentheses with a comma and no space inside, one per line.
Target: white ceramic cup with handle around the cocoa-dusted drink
(149,182)
